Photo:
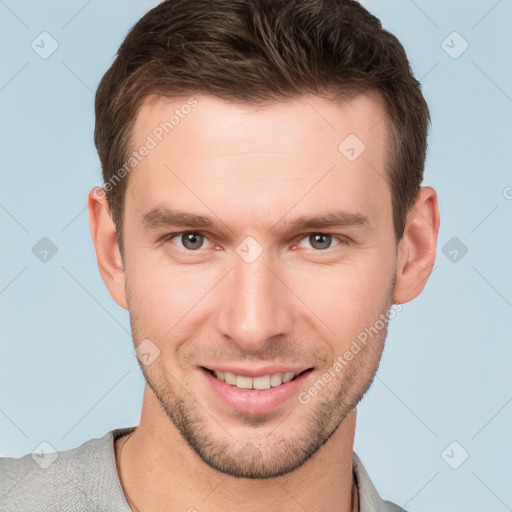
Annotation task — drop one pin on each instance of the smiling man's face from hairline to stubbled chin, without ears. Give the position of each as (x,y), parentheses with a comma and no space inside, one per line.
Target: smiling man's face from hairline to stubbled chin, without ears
(256,246)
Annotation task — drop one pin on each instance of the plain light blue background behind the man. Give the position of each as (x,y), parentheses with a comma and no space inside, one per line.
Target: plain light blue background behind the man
(68,372)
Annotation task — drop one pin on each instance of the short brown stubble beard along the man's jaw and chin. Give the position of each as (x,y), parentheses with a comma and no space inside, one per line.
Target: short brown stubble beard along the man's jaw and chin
(264,452)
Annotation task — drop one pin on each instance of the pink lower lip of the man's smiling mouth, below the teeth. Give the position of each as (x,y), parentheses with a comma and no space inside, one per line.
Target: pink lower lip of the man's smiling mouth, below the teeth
(255,401)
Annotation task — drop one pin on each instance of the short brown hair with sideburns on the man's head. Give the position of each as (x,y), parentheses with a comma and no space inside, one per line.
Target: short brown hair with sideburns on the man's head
(257,52)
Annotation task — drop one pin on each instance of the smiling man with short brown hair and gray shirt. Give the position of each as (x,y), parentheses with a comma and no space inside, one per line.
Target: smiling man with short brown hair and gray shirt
(262,210)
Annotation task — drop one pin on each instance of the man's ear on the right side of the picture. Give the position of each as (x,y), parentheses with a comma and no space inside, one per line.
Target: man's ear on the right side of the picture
(417,249)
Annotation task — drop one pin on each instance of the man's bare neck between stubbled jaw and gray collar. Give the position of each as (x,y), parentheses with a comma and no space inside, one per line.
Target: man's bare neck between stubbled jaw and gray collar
(159,471)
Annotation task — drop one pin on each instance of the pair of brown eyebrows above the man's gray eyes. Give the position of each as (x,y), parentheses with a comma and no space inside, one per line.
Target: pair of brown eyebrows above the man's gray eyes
(164,217)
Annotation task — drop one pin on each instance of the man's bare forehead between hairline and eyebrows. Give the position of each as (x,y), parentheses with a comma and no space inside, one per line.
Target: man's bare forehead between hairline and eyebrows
(211,154)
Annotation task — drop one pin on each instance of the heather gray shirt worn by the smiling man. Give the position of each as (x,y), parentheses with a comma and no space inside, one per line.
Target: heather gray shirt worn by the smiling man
(85,479)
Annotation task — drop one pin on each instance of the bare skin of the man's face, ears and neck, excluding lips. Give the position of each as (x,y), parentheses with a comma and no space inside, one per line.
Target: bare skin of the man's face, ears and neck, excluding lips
(254,170)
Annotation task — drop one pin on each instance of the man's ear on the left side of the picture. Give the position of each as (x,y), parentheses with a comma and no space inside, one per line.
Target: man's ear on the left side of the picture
(104,237)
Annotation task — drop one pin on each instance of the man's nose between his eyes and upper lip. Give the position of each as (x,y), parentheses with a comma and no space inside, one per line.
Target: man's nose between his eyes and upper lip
(256,304)
